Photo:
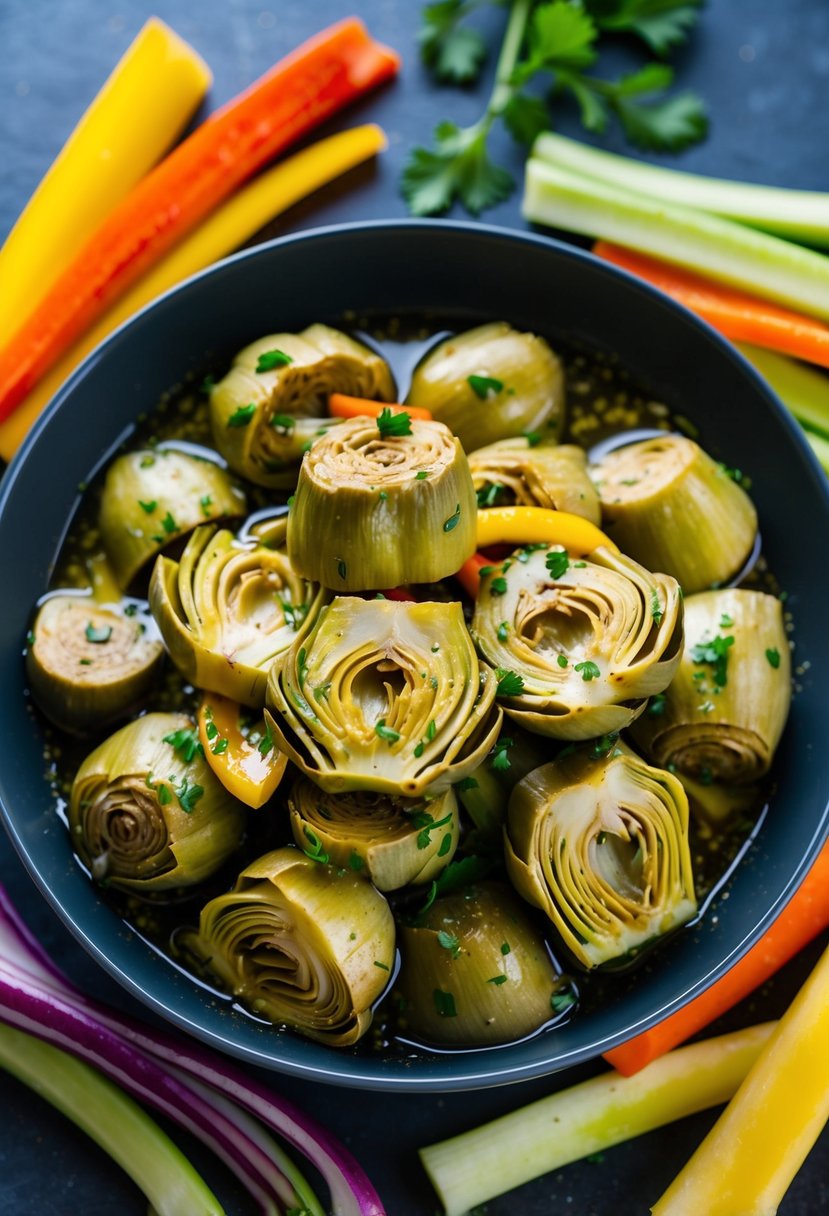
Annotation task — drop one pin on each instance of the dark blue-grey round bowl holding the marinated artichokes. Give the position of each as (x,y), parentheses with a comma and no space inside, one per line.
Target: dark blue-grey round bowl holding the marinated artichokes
(467,272)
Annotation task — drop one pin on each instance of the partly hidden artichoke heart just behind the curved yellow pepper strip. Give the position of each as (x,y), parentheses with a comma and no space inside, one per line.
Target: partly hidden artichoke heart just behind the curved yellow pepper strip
(525,474)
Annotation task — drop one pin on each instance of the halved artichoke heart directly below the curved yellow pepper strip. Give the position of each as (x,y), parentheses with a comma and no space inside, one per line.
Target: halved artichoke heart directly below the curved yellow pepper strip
(579,645)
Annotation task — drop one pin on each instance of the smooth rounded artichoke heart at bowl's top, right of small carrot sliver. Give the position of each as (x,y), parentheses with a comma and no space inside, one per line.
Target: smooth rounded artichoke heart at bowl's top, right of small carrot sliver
(492,384)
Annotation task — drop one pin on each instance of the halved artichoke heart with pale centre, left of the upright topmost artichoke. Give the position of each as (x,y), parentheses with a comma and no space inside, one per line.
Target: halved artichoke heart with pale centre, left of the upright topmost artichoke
(228,610)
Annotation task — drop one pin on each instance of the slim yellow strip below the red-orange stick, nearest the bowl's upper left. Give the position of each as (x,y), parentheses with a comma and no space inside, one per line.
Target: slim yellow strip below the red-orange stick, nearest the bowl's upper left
(225,230)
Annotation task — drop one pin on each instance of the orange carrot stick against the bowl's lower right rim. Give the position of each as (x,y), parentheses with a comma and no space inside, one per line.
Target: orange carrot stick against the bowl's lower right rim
(804,917)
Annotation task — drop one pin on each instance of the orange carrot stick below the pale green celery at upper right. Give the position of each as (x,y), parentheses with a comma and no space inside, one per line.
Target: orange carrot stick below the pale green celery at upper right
(736,314)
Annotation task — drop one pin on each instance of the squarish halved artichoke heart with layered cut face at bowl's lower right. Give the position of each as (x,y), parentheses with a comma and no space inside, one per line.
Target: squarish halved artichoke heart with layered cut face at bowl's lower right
(601,845)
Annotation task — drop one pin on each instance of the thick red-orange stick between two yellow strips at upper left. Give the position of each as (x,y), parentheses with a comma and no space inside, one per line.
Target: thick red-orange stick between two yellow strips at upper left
(319,78)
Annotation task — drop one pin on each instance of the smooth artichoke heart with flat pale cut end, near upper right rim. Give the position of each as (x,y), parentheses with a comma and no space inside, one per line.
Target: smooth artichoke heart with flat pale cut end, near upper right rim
(674,509)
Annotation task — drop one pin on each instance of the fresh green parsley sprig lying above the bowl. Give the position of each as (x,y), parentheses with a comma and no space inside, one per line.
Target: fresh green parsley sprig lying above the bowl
(554,43)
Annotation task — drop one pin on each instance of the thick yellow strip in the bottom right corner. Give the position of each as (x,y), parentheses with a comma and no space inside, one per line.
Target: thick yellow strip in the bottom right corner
(745,1166)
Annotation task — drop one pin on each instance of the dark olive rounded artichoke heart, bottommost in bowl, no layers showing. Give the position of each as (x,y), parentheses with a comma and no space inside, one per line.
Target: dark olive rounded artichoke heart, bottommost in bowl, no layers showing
(476,971)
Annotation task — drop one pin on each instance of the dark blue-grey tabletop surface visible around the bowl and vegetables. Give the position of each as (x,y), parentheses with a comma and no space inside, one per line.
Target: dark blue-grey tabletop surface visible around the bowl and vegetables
(764,69)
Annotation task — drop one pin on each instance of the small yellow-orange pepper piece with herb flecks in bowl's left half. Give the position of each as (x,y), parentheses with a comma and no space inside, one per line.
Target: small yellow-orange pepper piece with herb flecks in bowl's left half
(250,772)
